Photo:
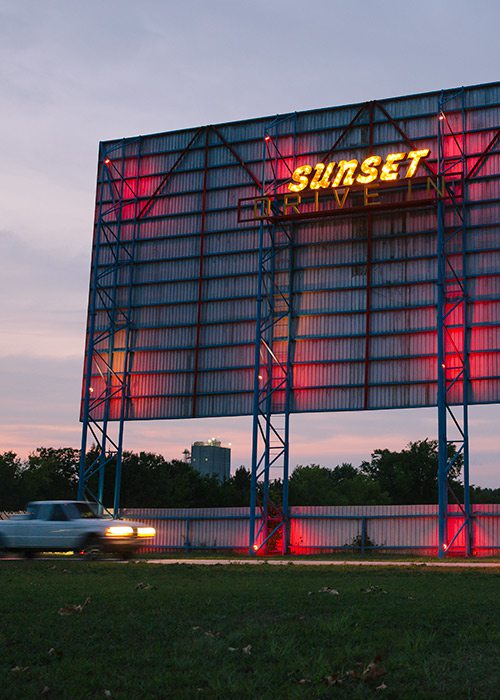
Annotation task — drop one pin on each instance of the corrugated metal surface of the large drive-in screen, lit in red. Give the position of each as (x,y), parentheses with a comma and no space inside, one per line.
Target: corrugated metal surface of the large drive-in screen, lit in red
(364,284)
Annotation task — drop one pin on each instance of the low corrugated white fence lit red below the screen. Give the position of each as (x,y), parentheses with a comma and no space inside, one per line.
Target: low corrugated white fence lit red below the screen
(315,529)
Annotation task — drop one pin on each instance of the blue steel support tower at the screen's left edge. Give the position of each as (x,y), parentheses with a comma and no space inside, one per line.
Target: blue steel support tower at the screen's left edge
(101,350)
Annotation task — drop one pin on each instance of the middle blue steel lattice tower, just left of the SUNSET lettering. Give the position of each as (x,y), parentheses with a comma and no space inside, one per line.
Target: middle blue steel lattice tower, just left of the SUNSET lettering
(272,372)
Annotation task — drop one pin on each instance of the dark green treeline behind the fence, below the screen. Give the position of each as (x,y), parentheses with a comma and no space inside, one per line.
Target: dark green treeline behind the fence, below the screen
(150,481)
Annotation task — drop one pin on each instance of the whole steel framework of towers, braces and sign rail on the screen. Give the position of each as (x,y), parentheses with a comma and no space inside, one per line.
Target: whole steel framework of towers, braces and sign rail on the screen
(109,354)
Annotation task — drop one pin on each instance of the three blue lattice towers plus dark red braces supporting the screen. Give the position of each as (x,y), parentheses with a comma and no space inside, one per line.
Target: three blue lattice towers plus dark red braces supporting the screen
(274,345)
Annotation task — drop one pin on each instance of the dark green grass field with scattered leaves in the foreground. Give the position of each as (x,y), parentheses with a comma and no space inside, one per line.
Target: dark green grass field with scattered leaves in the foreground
(76,630)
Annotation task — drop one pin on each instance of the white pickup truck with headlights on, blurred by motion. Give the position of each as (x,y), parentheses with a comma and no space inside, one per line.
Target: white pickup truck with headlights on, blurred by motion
(62,526)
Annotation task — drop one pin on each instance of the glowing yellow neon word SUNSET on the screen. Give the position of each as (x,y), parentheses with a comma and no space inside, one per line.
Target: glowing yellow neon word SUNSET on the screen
(350,172)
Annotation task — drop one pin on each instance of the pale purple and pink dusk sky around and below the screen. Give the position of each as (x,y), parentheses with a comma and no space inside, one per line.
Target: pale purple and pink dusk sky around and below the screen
(76,73)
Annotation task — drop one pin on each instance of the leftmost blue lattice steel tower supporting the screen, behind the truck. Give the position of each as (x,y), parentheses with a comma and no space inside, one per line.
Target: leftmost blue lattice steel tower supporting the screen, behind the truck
(109,332)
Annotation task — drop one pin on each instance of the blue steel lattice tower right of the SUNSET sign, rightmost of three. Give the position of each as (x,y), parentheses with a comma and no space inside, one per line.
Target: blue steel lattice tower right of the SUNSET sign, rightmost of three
(453,356)
